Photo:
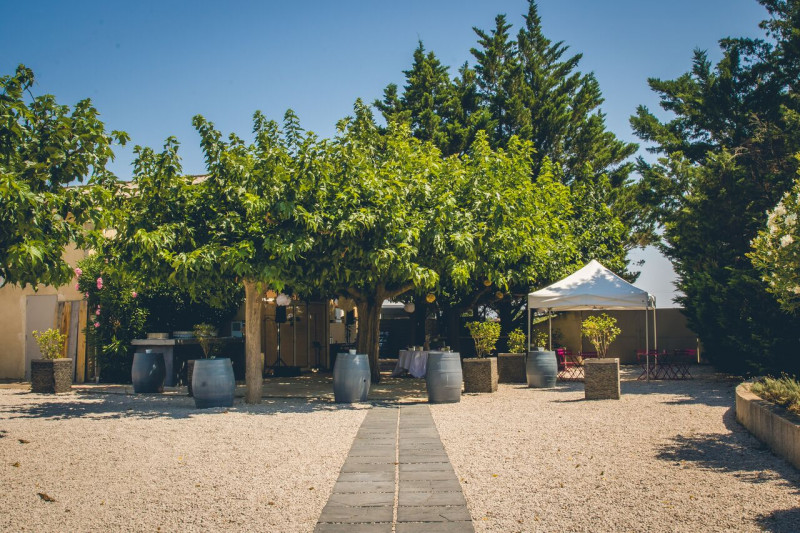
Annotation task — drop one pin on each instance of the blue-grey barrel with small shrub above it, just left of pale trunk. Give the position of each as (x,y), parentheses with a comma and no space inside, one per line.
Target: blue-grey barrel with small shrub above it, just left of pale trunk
(212,381)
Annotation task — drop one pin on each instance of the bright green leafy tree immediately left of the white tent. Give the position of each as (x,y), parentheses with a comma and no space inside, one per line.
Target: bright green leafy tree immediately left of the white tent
(495,232)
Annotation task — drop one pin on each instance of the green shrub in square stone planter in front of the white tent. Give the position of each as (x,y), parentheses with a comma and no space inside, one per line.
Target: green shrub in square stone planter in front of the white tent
(601,376)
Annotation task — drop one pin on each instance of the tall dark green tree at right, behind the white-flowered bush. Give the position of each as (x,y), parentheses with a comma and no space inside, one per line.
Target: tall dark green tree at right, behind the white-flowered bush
(726,157)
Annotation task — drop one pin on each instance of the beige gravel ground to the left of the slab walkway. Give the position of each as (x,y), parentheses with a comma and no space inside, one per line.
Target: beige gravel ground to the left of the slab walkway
(150,463)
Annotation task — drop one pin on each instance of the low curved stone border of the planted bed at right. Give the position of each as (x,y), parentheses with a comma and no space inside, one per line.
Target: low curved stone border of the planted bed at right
(771,424)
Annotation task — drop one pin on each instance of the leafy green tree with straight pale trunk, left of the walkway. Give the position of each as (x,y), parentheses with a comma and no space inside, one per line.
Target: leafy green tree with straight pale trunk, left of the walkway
(232,226)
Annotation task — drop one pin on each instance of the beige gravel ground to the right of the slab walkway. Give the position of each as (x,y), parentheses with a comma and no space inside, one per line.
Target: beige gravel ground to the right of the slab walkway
(668,456)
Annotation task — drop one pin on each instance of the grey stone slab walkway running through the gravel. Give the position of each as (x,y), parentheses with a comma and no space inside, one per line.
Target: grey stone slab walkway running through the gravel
(396,478)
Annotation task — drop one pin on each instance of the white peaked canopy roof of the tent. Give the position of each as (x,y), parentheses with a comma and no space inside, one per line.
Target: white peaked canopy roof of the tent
(592,287)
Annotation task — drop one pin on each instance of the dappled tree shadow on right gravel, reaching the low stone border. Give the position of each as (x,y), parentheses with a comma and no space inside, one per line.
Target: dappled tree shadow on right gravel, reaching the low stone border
(738,453)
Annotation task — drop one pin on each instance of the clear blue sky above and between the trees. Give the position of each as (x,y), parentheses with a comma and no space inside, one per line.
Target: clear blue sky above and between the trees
(150,66)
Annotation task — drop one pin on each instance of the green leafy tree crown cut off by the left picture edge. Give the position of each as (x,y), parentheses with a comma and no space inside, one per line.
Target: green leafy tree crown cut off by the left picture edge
(45,149)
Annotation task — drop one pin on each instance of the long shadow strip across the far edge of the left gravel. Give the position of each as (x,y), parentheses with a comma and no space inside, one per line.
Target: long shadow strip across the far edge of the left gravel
(156,406)
